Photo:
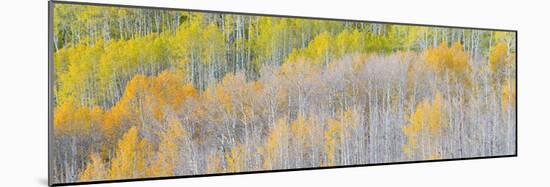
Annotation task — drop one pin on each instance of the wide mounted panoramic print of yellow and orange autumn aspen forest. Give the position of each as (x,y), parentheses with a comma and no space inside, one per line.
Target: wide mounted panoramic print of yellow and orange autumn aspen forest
(147,93)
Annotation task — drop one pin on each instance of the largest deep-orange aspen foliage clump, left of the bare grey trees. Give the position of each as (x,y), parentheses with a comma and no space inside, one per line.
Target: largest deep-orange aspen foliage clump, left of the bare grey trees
(167,91)
